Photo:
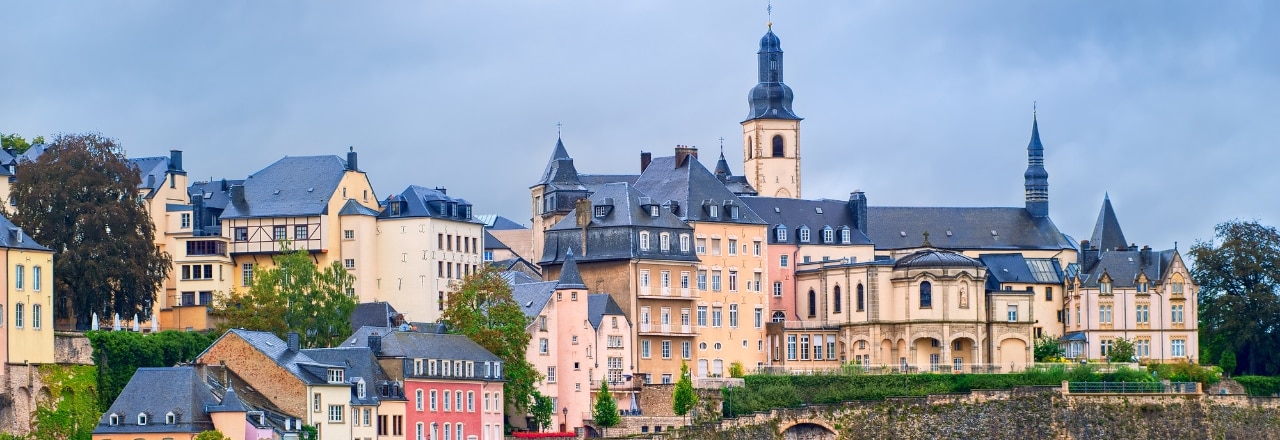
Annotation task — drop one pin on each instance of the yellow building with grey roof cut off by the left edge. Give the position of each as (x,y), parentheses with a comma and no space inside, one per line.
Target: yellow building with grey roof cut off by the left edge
(28,310)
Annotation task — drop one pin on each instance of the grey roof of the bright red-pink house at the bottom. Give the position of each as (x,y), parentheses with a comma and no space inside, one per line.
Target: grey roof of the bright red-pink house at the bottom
(417,345)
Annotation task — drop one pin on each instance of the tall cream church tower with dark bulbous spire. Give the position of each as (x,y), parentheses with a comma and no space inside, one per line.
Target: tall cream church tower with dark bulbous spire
(771,134)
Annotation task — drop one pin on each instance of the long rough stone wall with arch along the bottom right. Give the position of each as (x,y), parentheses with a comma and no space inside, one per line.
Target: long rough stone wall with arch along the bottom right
(1020,414)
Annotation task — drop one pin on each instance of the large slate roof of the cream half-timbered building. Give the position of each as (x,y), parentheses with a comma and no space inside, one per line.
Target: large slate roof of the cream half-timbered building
(294,186)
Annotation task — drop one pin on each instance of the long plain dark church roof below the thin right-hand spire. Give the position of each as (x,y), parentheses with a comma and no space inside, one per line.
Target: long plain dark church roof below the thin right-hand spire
(902,228)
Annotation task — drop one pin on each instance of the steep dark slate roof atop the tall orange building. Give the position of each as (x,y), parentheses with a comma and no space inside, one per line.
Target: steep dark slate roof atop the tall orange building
(692,186)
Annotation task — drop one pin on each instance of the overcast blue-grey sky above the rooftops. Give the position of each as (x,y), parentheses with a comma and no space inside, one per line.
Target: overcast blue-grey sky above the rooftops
(1169,107)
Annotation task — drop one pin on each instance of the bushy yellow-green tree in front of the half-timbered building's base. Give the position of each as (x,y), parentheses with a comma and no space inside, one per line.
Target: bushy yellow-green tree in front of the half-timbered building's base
(295,296)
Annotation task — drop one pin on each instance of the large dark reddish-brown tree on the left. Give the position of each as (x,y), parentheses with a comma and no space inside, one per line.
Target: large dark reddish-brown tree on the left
(81,200)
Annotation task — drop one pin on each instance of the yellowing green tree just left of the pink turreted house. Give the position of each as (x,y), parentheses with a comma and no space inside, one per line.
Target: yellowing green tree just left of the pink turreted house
(483,310)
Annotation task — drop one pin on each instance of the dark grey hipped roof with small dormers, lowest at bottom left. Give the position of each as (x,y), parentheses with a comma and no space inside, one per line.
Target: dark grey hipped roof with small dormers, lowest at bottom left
(157,392)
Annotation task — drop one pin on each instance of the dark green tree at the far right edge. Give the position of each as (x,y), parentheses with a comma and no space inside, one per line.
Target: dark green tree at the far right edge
(1238,273)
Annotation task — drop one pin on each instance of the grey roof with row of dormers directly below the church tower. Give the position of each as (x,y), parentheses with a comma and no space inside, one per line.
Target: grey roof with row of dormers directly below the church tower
(817,214)
